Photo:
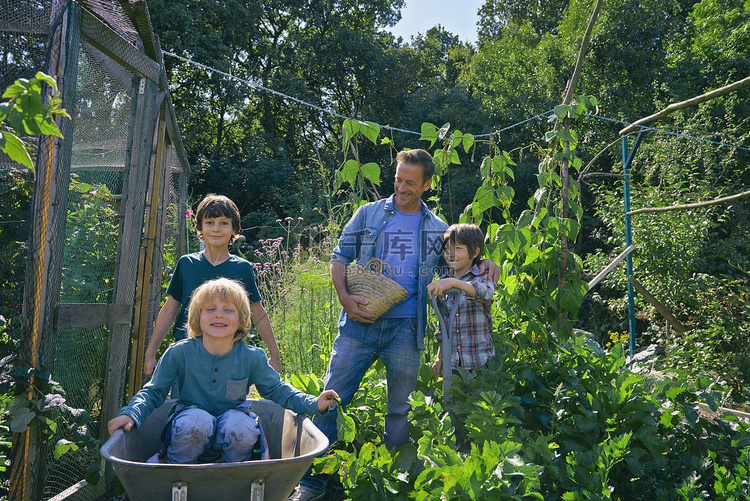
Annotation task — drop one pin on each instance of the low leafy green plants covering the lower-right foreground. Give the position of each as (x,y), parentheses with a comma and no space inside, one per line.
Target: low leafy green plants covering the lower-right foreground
(570,423)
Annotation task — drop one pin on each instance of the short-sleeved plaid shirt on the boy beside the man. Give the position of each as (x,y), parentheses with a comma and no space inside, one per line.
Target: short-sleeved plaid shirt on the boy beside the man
(471,329)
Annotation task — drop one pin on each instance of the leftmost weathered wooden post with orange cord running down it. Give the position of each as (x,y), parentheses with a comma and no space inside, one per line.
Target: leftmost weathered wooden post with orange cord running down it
(44,264)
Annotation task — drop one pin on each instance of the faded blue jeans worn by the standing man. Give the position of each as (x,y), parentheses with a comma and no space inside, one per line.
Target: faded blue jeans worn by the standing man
(394,340)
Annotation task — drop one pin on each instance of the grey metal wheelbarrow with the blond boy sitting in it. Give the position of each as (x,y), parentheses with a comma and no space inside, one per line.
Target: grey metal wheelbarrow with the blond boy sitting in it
(293,443)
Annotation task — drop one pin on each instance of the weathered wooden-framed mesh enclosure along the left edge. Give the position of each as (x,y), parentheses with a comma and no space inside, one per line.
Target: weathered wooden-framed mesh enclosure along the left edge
(107,208)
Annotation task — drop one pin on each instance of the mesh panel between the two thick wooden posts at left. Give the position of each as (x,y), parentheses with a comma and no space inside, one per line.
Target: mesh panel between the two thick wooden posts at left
(100,134)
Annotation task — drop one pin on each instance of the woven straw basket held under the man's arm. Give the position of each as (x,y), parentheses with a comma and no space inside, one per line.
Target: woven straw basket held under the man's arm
(382,292)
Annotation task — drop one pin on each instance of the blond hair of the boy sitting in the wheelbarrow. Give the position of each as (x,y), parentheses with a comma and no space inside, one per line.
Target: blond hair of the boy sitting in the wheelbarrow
(229,291)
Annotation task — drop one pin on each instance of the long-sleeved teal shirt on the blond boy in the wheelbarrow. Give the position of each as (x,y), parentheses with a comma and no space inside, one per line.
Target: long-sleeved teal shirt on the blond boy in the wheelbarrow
(215,383)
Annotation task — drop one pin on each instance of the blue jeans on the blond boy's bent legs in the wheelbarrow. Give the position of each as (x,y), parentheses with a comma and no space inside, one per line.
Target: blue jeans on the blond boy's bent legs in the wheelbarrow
(233,435)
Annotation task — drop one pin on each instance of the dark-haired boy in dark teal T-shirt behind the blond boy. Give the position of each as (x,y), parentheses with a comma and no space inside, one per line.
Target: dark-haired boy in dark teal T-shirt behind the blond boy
(218,225)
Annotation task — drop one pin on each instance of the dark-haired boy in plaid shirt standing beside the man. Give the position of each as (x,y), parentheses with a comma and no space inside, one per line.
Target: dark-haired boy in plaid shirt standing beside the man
(471,329)
